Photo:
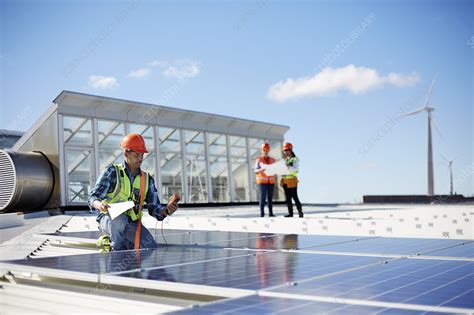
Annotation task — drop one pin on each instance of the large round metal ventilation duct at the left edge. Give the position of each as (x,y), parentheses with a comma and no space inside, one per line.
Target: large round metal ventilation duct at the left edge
(26,180)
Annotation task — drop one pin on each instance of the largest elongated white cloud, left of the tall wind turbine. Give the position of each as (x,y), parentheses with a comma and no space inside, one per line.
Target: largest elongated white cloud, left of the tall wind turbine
(356,80)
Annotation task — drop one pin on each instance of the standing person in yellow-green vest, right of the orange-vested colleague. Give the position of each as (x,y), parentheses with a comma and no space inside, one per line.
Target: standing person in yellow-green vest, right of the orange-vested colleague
(290,182)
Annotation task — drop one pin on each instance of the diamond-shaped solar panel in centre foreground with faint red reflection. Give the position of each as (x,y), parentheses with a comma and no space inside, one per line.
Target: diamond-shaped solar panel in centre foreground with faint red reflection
(257,271)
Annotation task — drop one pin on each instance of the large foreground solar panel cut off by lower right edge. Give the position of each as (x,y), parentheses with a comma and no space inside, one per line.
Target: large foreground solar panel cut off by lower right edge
(413,281)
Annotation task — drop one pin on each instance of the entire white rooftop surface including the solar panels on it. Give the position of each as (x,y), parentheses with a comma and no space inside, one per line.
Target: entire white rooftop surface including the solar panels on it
(338,258)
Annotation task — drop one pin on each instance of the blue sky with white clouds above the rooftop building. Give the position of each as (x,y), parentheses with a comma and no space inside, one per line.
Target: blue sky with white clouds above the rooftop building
(337,72)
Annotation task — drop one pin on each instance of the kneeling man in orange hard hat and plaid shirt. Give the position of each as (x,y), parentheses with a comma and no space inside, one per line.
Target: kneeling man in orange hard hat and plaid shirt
(127,182)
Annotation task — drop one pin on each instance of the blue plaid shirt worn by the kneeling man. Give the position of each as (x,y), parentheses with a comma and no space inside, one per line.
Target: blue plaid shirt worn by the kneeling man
(107,182)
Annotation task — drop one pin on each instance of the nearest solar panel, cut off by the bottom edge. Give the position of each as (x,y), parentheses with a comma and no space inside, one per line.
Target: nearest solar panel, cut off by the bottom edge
(255,304)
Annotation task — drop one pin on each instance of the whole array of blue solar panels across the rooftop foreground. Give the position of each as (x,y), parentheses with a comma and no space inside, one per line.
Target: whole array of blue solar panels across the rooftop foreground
(291,273)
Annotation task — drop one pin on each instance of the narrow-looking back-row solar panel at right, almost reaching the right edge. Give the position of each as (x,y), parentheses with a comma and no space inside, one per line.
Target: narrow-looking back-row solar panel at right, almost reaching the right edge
(396,246)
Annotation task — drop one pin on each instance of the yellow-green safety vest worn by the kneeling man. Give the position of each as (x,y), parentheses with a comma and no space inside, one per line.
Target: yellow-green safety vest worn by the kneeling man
(123,192)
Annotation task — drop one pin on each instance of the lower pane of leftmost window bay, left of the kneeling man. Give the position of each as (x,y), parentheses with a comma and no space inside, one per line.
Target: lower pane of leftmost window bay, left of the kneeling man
(79,168)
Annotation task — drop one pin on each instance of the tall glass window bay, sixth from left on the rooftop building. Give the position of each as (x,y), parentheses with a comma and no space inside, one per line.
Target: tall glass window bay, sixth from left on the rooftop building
(218,167)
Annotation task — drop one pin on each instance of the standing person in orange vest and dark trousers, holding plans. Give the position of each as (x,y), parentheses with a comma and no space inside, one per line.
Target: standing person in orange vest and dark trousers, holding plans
(265,183)
